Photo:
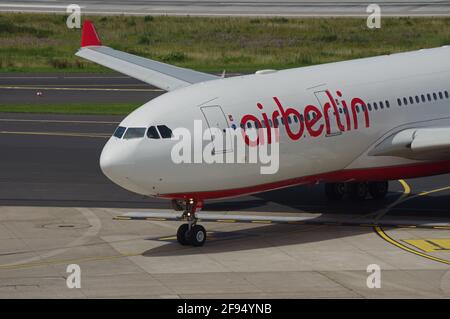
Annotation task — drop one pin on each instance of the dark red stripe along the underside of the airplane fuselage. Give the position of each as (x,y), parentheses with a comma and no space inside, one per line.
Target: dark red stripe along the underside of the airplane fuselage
(360,174)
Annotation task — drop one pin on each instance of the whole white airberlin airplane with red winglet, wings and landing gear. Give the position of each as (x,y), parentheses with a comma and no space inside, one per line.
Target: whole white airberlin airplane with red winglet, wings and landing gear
(353,125)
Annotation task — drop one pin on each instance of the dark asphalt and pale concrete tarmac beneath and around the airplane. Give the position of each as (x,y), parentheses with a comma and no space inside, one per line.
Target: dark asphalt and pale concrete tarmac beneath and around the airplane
(57,209)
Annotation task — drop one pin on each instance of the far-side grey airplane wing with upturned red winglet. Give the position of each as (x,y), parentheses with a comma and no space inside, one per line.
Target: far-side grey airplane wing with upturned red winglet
(162,75)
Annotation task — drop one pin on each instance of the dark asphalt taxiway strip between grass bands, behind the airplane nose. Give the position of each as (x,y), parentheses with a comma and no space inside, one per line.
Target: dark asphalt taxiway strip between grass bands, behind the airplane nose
(73,88)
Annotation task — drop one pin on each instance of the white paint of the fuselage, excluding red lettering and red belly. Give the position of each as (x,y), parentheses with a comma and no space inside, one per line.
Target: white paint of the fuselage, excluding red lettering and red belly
(144,165)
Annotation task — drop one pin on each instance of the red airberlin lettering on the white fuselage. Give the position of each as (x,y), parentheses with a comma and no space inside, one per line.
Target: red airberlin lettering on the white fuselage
(314,121)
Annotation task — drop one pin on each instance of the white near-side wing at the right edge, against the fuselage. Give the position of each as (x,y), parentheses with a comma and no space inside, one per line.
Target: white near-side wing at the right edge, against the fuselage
(416,143)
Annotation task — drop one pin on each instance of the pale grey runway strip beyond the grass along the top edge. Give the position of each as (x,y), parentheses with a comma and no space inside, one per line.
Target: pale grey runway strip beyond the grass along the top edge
(236,7)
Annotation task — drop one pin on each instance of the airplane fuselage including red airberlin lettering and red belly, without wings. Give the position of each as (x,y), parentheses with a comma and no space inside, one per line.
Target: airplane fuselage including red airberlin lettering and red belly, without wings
(329,118)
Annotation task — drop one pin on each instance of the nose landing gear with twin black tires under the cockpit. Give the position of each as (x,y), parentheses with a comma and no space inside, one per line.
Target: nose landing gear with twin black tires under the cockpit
(191,233)
